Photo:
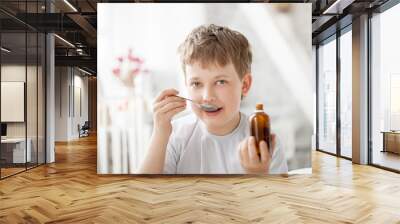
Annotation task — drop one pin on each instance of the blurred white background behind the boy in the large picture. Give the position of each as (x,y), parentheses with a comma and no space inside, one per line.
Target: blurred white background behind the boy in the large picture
(280,36)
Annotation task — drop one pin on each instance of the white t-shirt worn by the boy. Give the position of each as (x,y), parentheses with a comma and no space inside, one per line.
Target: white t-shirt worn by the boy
(193,150)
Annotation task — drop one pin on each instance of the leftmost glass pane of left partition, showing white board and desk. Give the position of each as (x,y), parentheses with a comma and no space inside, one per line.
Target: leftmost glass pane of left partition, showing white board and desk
(13,86)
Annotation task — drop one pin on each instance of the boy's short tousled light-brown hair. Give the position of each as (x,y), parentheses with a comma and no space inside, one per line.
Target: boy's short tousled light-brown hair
(216,45)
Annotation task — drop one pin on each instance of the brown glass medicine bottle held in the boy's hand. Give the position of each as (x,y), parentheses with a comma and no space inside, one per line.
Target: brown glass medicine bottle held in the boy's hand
(260,126)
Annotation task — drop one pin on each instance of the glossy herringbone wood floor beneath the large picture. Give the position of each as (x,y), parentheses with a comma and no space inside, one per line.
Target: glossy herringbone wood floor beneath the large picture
(70,191)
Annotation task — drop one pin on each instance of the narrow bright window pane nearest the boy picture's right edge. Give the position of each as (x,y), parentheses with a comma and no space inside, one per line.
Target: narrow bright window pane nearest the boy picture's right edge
(327,97)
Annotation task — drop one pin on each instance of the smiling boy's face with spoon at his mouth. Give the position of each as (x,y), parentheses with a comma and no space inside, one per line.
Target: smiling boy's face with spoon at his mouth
(221,87)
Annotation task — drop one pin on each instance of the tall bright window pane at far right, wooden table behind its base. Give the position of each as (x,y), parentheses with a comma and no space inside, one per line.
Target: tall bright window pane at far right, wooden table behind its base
(386,89)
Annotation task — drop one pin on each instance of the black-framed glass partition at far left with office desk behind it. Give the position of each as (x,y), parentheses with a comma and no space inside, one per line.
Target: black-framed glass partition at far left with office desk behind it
(22,76)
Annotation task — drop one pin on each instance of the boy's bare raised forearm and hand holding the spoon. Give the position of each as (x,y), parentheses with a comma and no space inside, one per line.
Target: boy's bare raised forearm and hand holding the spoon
(165,107)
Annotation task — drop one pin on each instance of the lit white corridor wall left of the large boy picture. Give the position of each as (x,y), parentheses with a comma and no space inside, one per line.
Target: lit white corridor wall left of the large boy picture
(69,82)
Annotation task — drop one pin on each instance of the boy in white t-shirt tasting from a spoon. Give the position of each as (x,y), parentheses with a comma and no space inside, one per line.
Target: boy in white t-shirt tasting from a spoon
(216,62)
